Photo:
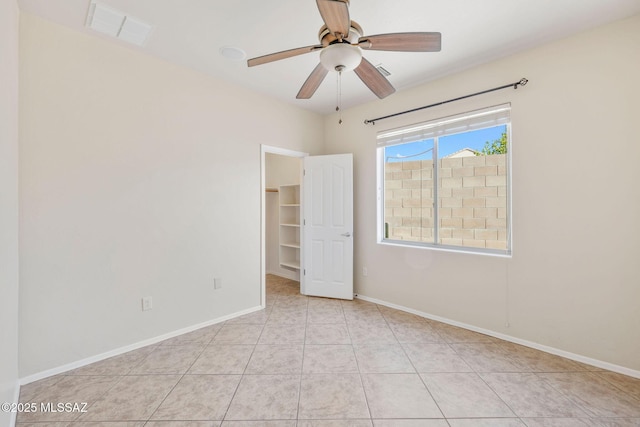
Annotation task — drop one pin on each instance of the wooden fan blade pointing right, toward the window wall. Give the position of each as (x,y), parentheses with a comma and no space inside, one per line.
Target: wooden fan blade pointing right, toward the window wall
(402,42)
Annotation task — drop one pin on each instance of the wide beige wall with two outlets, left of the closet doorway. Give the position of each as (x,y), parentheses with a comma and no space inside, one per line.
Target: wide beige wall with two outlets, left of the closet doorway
(137,178)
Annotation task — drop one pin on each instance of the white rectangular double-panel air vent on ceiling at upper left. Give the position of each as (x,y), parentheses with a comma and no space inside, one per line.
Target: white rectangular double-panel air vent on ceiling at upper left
(117,24)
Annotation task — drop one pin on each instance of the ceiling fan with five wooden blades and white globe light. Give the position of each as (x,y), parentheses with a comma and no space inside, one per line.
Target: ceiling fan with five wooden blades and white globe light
(341,44)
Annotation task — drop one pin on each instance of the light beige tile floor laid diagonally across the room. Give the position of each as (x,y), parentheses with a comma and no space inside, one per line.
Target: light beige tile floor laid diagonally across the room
(314,362)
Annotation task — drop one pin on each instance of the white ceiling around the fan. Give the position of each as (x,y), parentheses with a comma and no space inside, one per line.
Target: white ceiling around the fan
(191,32)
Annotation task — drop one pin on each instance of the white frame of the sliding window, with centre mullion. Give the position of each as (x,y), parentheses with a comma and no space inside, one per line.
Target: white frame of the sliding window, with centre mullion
(433,129)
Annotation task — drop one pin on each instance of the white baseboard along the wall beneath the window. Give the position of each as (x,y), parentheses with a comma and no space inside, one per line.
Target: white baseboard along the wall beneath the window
(568,355)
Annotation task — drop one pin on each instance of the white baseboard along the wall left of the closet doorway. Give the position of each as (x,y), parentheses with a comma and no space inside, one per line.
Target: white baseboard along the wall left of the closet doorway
(89,360)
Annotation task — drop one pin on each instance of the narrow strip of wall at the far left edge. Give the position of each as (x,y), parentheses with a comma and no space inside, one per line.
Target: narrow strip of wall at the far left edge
(8,204)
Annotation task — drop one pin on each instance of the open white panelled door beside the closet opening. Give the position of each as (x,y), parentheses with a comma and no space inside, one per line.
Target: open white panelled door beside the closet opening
(327,211)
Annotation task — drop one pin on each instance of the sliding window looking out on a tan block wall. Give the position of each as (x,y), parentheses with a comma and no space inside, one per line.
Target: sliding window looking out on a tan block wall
(446,183)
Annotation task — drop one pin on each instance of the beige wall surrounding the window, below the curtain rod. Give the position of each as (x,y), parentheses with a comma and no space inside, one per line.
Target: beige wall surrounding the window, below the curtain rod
(572,283)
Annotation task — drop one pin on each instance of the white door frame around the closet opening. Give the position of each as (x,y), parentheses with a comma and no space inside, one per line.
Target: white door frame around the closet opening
(264,149)
